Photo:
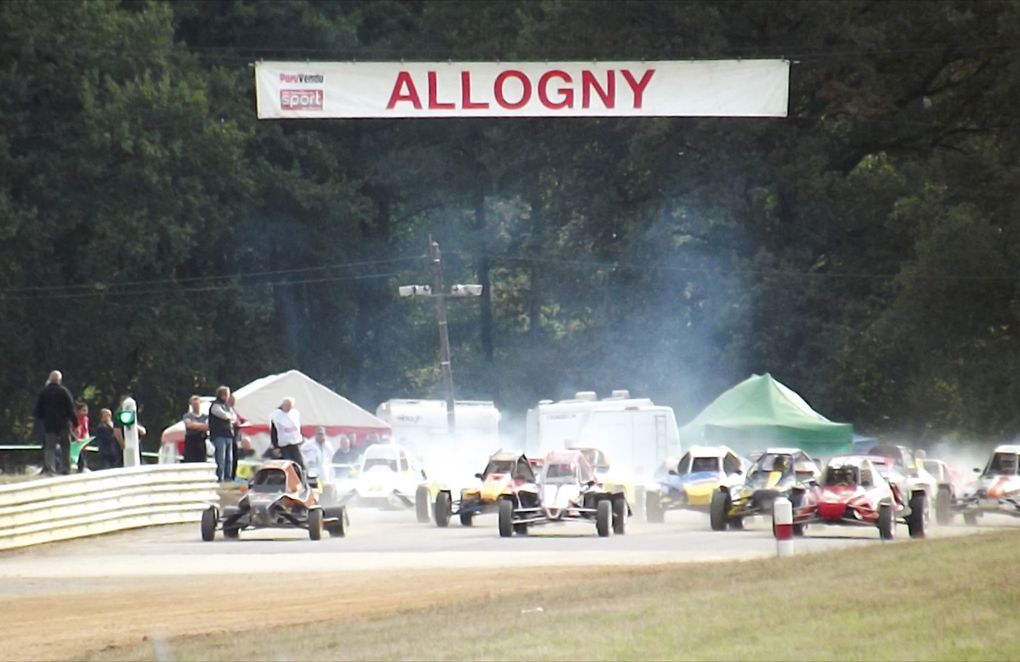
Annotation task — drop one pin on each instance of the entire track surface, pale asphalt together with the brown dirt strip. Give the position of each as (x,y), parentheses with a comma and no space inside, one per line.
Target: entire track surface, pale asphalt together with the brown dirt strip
(175,587)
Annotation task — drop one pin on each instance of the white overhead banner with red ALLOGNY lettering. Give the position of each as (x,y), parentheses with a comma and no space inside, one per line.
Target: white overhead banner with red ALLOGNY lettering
(708,89)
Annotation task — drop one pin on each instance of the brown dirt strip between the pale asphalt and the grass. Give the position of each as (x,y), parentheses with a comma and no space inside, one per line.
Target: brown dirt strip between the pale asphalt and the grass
(96,616)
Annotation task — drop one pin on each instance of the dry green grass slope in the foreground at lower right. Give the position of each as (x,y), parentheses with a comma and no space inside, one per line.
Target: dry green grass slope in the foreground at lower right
(951,599)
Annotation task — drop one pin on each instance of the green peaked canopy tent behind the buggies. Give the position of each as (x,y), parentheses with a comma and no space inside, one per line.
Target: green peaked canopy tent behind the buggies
(761,413)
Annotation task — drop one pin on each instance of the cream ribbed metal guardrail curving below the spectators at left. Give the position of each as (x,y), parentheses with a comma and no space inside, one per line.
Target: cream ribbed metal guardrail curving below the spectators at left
(86,504)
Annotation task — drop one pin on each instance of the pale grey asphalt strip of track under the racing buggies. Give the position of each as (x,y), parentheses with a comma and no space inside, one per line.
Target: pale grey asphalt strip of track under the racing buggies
(382,540)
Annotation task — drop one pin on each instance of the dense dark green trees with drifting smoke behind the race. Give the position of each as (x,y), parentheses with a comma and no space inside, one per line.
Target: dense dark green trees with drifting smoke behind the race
(157,239)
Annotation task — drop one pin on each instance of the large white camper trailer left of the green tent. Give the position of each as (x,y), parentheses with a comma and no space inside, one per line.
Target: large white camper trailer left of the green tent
(637,435)
